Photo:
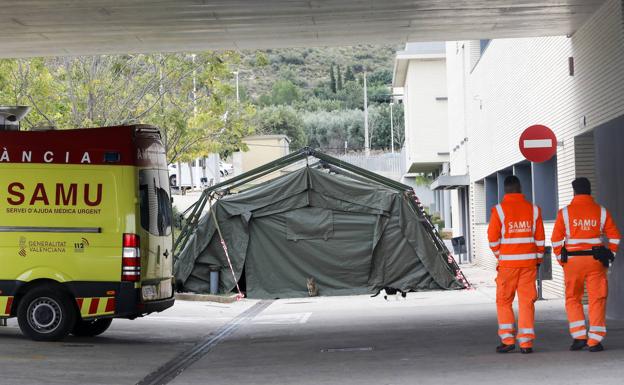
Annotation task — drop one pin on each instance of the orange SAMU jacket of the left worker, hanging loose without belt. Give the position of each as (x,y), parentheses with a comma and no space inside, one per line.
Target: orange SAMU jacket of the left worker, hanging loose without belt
(516,232)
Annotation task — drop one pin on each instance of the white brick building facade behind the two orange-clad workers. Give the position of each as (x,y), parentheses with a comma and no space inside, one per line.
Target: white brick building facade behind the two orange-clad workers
(572,84)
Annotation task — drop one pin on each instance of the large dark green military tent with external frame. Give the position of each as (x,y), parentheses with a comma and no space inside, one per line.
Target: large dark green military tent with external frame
(354,232)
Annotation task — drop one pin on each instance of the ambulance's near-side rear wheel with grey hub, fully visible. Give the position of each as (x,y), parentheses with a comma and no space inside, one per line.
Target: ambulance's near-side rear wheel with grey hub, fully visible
(46,314)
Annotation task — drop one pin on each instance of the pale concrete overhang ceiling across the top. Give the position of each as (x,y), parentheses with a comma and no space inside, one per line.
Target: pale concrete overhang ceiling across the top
(79,27)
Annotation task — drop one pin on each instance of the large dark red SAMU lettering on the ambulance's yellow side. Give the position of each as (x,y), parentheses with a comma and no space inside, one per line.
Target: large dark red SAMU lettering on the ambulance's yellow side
(62,194)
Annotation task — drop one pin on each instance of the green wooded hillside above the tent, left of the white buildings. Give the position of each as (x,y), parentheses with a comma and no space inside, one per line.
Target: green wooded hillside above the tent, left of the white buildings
(315,96)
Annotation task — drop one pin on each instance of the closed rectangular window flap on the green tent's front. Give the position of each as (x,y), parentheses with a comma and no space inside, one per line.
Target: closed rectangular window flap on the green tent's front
(309,223)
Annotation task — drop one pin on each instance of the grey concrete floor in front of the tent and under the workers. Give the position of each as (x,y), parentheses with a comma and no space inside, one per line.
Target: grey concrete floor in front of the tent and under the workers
(428,338)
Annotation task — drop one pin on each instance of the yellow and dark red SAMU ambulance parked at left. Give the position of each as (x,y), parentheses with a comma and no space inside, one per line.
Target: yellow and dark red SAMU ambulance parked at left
(85,228)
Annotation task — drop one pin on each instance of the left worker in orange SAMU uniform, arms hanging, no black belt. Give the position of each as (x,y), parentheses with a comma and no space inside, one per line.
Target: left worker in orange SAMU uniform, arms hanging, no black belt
(516,236)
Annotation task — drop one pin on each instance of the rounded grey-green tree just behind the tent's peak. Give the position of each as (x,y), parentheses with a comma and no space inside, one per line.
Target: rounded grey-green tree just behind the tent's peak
(283,120)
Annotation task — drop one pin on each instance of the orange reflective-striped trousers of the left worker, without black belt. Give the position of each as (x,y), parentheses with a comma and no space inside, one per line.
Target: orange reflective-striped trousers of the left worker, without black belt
(508,281)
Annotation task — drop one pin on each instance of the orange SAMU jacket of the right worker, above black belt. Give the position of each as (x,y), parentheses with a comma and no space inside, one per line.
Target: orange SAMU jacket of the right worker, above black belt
(580,225)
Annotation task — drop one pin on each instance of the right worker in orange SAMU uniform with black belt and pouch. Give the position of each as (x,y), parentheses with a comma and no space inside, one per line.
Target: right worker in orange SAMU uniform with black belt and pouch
(580,250)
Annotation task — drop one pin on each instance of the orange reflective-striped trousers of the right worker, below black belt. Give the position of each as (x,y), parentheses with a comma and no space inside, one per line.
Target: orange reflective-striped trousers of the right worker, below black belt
(578,271)
